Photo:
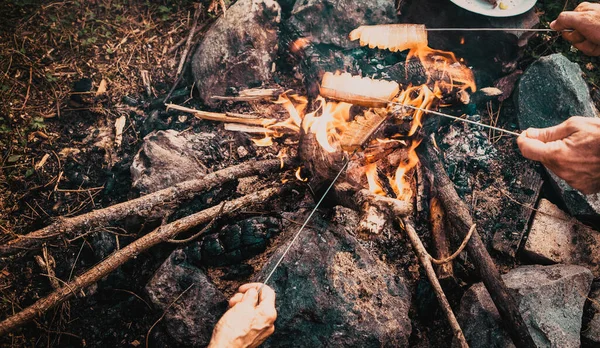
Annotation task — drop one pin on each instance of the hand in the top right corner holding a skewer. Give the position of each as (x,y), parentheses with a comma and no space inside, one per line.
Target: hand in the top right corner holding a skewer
(585,22)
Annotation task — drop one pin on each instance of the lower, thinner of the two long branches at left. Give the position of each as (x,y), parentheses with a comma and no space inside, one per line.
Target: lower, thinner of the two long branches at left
(118,258)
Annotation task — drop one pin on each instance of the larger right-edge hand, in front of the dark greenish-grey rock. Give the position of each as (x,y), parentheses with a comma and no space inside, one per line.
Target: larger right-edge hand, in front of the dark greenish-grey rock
(570,150)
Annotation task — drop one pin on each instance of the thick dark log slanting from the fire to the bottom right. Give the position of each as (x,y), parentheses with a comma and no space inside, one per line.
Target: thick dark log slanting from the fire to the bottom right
(459,216)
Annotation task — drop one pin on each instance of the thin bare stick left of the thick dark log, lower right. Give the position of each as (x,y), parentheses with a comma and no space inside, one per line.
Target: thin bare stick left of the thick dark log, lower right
(425,260)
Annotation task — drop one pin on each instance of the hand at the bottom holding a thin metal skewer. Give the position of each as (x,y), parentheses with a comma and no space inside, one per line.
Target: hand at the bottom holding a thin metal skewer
(249,320)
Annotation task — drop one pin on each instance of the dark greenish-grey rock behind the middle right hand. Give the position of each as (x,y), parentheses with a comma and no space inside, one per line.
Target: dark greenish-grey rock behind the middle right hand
(550,91)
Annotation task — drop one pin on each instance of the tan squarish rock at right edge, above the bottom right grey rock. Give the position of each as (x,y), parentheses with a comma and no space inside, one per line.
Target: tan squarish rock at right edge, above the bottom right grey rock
(556,237)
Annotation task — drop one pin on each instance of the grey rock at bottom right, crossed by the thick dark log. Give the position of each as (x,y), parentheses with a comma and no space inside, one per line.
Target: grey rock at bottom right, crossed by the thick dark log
(550,298)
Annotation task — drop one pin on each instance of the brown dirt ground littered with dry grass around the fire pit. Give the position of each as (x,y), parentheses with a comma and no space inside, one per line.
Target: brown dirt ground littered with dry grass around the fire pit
(54,57)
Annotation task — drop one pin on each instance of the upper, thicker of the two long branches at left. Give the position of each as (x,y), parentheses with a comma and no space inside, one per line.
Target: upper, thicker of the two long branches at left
(143,207)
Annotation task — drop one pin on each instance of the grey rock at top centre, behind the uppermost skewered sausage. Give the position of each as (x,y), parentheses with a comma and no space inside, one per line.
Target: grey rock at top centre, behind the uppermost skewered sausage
(330,22)
